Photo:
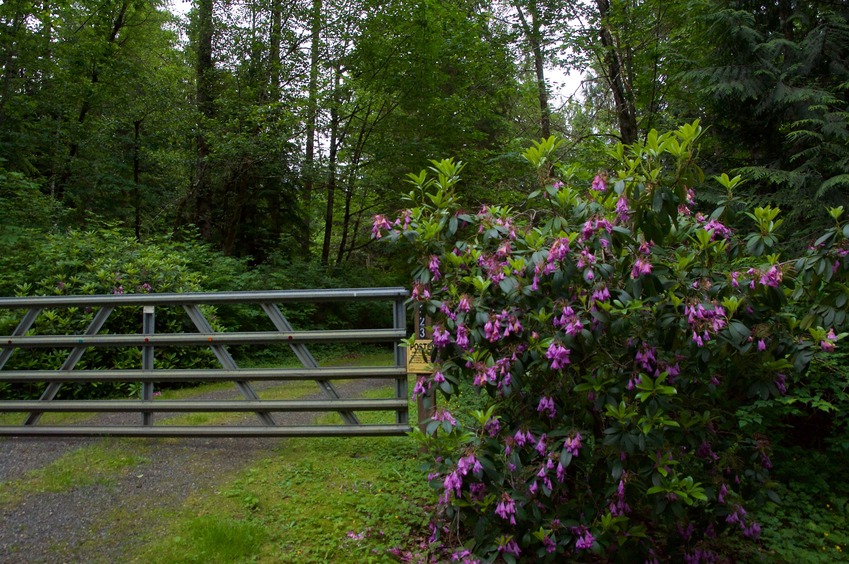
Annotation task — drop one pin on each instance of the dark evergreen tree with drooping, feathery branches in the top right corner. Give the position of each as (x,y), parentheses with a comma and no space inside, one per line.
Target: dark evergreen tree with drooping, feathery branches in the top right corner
(775,78)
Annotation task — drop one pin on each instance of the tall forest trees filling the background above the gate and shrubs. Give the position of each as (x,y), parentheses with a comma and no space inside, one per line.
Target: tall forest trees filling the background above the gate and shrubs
(276,128)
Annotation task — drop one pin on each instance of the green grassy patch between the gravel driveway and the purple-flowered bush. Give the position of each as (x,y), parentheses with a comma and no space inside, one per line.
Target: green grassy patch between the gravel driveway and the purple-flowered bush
(319,500)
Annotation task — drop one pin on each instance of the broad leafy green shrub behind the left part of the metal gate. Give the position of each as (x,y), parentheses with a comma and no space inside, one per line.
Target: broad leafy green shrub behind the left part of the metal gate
(98,261)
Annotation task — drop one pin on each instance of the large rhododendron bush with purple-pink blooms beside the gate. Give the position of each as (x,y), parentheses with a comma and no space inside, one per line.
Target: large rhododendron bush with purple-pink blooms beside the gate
(624,347)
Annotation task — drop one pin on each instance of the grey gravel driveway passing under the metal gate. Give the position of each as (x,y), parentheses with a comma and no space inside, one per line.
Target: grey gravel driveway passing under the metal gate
(104,522)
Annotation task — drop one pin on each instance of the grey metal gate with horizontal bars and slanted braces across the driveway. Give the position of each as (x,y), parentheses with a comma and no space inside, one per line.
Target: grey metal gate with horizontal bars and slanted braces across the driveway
(148,340)
